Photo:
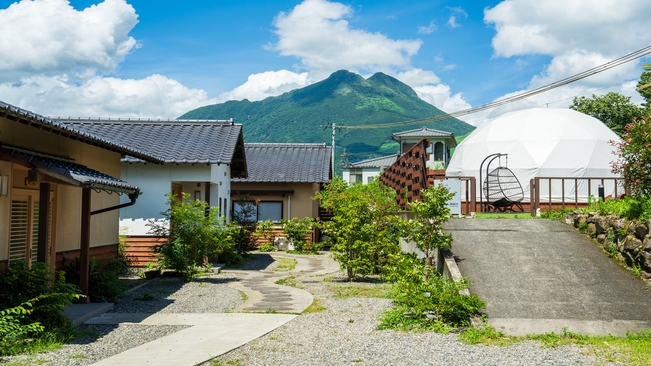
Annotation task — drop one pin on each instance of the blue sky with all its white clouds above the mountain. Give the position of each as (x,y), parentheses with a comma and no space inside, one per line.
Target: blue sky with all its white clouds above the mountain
(160,59)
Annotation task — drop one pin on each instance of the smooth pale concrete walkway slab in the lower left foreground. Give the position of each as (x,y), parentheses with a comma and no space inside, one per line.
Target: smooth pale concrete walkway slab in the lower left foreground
(209,336)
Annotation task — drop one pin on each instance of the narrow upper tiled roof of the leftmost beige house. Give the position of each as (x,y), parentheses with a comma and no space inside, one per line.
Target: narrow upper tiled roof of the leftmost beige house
(26,117)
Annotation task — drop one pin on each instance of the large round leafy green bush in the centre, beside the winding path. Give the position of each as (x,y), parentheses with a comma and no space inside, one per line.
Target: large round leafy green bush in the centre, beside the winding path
(363,230)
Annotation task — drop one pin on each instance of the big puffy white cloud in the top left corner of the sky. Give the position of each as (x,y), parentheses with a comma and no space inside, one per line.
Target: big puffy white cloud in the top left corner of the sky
(50,37)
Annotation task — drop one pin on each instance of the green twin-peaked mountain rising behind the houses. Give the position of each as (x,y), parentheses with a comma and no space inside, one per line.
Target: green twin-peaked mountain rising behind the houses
(344,98)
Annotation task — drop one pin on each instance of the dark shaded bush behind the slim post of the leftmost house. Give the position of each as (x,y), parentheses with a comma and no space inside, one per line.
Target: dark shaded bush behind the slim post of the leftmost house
(103,282)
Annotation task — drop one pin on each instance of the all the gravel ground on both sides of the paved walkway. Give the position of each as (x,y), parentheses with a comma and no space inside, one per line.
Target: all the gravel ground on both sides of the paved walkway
(345,333)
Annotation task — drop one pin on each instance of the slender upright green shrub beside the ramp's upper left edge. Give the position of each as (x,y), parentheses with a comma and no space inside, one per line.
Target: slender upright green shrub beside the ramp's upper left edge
(427,229)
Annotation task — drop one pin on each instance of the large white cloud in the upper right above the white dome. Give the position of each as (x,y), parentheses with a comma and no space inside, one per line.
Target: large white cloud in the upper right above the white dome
(578,35)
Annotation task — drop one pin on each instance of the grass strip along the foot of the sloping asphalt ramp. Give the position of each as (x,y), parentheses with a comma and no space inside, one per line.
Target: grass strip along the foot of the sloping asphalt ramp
(633,349)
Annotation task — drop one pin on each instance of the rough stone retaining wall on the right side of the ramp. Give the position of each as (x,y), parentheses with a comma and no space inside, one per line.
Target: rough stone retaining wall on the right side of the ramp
(629,240)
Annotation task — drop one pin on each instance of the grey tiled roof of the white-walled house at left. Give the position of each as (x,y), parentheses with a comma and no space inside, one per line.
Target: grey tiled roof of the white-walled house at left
(173,141)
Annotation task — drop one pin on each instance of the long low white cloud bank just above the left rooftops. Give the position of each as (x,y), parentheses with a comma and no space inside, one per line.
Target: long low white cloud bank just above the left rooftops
(154,96)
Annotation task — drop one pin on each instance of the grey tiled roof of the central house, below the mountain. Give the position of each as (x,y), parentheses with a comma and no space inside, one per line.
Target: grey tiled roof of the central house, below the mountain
(287,163)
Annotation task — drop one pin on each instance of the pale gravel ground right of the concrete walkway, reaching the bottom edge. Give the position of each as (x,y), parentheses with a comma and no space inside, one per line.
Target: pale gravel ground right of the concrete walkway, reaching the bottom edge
(345,333)
